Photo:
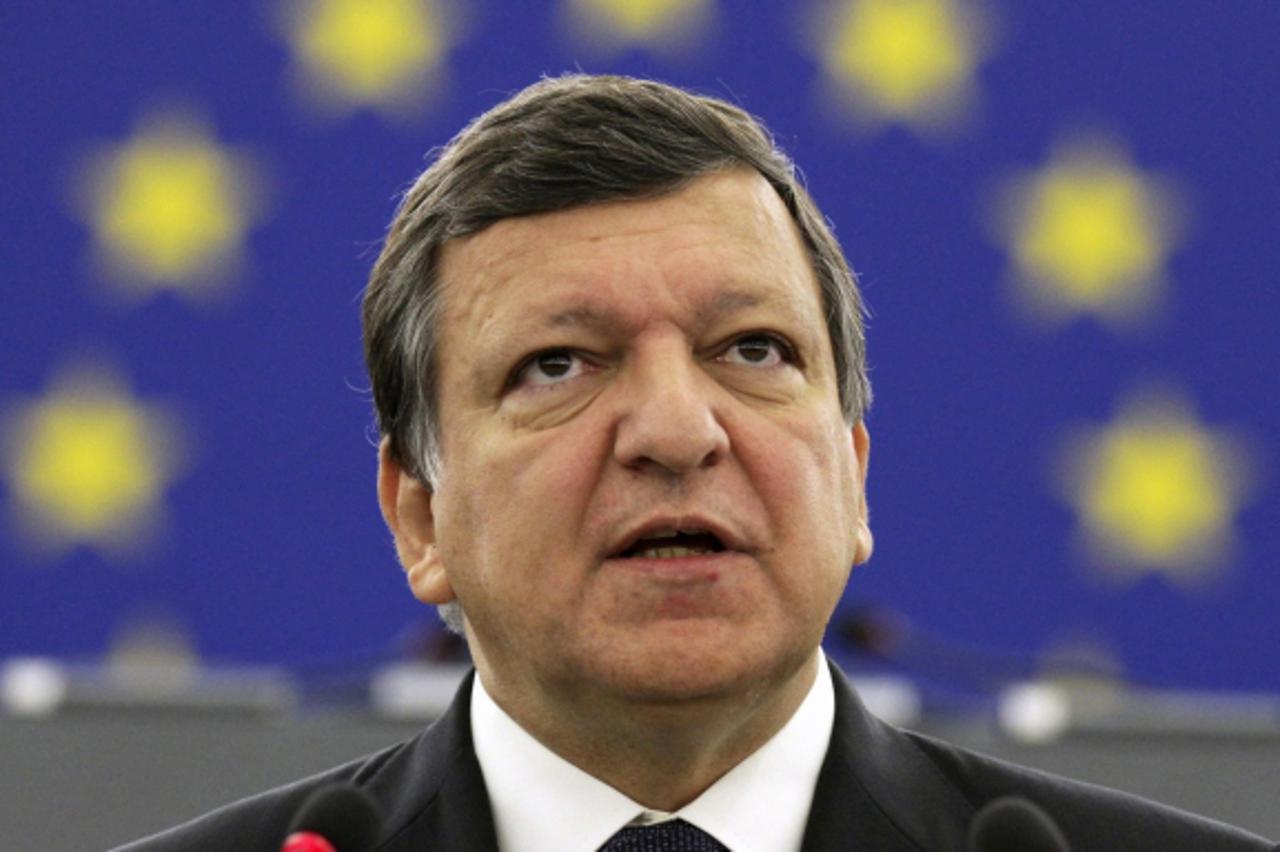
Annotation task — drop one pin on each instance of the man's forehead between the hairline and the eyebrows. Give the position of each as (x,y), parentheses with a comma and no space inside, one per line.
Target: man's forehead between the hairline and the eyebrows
(725,241)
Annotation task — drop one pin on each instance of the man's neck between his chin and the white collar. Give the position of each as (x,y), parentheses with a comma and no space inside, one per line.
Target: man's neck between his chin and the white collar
(661,754)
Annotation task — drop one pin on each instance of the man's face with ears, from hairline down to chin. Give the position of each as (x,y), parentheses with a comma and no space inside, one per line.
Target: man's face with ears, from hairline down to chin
(648,491)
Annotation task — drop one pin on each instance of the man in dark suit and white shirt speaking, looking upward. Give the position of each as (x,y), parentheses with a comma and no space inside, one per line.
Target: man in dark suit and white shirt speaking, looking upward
(620,374)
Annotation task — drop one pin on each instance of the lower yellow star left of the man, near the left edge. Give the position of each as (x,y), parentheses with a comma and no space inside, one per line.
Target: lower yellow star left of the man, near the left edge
(88,464)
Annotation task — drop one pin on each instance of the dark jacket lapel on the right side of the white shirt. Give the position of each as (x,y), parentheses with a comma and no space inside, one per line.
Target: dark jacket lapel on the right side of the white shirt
(879,793)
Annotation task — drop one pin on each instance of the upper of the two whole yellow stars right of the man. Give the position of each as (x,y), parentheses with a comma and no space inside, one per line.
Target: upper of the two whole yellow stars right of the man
(1089,235)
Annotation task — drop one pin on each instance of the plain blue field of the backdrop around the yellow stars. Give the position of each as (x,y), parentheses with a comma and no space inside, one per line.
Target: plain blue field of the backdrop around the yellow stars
(276,553)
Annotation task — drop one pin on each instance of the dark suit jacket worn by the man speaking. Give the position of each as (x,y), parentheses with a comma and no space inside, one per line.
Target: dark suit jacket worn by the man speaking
(881,790)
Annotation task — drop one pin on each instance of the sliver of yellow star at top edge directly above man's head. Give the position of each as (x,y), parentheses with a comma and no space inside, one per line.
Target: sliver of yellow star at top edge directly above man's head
(664,25)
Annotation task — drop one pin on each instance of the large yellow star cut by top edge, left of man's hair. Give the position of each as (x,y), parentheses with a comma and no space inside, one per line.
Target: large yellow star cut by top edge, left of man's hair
(382,54)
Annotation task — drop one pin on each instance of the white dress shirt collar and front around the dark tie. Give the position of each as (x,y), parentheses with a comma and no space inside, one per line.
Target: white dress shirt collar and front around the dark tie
(545,804)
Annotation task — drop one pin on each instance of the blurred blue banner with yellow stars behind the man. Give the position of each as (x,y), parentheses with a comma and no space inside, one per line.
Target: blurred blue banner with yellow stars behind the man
(1064,218)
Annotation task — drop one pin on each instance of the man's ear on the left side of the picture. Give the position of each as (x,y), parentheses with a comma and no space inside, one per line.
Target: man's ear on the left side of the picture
(406,505)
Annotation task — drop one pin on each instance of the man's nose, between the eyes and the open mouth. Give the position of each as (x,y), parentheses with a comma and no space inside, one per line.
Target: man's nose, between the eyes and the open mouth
(668,418)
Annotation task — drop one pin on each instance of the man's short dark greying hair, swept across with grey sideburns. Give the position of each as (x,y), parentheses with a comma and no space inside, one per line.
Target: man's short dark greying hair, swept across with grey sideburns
(565,143)
